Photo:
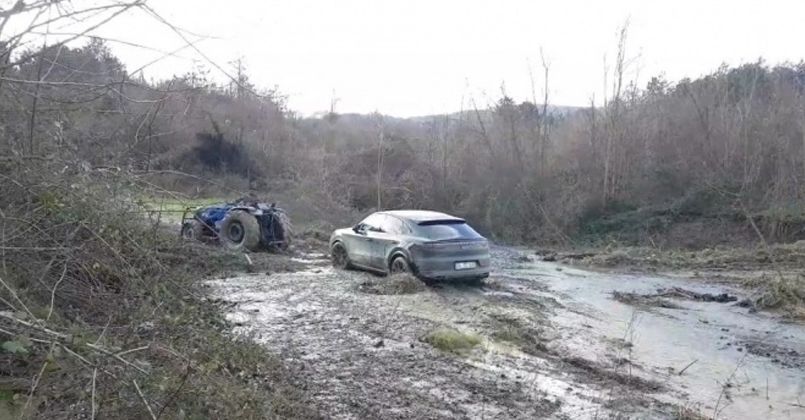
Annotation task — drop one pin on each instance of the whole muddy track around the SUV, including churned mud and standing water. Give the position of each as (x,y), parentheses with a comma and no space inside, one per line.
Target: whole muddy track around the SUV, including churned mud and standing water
(554,344)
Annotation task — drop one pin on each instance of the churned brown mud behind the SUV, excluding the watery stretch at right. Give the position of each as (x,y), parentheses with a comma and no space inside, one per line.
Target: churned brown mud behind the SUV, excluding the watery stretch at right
(361,355)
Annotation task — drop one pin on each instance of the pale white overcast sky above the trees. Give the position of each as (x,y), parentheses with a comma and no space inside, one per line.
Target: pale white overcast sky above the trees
(406,58)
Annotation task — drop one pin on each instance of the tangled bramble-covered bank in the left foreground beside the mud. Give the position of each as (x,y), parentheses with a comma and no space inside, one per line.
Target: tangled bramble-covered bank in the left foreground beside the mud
(99,315)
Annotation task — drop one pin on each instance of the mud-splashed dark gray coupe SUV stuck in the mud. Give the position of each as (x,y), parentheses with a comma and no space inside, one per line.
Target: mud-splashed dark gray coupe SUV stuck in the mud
(428,244)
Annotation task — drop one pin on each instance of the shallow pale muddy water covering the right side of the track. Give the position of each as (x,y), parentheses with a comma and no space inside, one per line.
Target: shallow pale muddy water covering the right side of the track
(737,364)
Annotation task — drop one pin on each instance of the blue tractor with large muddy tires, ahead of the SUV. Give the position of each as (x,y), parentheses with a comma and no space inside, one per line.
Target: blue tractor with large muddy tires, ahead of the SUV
(244,224)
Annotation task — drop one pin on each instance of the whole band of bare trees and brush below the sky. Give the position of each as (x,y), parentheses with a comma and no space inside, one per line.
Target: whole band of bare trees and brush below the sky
(724,146)
